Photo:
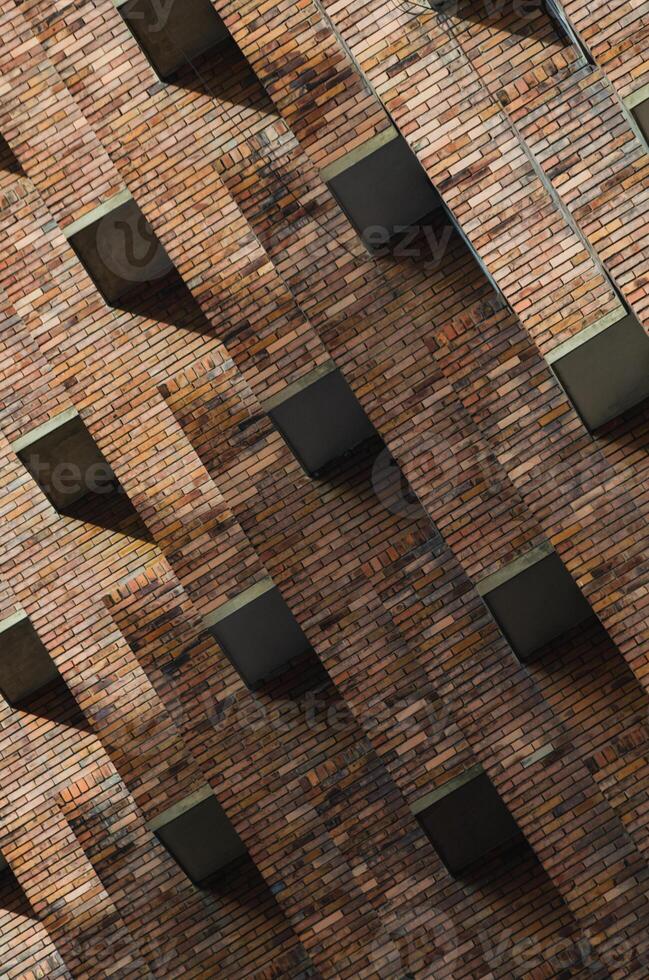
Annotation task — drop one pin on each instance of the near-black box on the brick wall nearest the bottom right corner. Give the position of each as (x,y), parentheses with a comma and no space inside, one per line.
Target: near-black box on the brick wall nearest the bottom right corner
(466,821)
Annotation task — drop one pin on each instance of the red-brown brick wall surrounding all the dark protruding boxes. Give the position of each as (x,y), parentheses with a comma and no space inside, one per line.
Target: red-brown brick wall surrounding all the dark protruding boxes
(410,682)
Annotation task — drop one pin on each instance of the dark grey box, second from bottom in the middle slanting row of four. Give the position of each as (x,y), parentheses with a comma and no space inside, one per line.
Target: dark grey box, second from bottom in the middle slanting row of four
(258,632)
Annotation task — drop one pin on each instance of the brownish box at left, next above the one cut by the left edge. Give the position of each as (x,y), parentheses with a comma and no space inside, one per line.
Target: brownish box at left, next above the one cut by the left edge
(65,461)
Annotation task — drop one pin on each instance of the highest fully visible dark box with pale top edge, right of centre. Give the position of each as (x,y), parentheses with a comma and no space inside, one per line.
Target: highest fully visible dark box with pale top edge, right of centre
(383,189)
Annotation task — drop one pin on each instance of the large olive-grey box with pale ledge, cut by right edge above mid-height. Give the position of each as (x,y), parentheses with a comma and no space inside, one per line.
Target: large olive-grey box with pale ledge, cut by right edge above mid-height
(604,369)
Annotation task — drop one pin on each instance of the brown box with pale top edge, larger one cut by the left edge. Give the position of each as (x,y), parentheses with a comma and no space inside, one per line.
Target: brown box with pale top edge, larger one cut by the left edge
(25,665)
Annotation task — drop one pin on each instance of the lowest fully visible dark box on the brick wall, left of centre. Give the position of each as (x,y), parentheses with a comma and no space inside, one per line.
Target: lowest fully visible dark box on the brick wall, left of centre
(198,834)
